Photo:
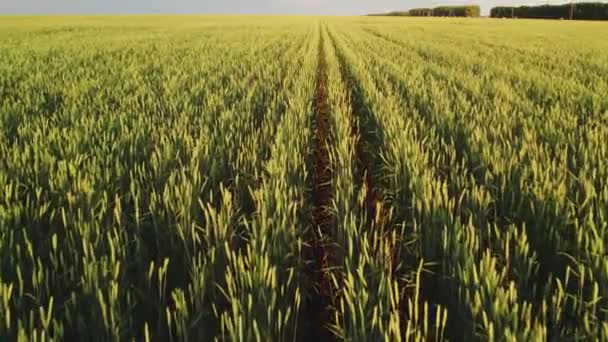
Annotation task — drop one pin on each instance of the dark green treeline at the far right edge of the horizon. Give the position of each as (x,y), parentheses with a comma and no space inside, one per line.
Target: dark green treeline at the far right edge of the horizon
(580,11)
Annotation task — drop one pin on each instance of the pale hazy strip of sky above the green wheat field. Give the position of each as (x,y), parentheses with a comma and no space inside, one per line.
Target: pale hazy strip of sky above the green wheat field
(326,7)
